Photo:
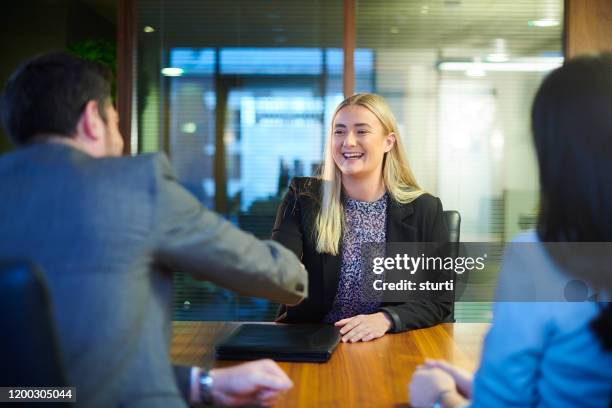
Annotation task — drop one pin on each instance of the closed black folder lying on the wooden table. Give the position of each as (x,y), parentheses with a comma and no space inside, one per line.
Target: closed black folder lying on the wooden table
(281,342)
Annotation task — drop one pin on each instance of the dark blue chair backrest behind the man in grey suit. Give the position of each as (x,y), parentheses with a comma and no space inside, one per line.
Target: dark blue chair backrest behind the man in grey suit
(29,350)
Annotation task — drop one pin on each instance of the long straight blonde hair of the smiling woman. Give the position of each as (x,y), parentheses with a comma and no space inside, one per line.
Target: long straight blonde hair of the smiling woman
(397,177)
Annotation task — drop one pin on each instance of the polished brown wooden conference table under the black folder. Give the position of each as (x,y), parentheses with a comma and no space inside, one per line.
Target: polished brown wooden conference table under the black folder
(373,374)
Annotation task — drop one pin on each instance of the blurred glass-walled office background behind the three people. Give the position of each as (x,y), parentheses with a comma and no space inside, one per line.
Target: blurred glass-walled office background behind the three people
(239,94)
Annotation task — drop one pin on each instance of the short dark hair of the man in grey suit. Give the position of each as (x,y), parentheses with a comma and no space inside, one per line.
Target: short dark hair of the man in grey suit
(47,95)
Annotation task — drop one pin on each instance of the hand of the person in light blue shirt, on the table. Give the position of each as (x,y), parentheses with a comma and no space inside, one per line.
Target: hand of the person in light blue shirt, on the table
(428,385)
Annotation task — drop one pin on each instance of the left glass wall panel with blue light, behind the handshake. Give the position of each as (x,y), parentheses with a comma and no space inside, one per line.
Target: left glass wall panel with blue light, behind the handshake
(239,95)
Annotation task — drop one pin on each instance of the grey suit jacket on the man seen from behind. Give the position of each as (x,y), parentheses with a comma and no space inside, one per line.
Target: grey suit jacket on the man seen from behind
(109,233)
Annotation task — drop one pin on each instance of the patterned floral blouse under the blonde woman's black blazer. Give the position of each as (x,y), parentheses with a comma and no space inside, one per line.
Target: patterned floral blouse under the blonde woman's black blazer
(365,223)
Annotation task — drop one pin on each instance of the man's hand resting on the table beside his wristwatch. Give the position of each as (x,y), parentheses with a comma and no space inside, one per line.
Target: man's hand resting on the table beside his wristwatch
(259,382)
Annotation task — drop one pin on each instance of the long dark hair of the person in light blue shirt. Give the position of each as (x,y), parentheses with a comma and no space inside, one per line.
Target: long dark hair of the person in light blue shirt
(572,132)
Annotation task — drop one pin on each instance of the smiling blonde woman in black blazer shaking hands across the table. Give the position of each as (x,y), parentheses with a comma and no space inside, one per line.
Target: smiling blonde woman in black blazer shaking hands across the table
(365,194)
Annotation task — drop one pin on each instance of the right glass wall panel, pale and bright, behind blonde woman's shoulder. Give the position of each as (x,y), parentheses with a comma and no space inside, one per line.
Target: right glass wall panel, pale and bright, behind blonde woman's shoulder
(461,76)
